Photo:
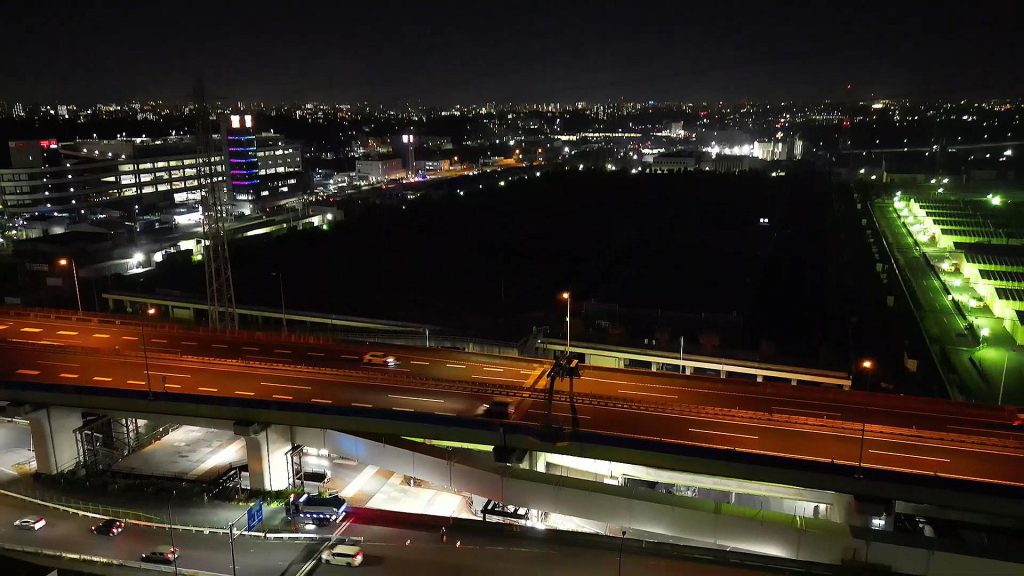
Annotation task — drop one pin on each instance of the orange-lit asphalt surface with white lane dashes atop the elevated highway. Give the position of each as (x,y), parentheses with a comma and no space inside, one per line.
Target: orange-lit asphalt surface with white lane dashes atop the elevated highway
(920,436)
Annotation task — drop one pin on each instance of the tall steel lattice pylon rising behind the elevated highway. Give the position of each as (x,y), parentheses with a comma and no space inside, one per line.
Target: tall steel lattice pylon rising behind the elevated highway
(220,290)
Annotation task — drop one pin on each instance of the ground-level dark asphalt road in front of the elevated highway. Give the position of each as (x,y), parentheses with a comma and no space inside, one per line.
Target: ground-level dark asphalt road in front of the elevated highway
(389,550)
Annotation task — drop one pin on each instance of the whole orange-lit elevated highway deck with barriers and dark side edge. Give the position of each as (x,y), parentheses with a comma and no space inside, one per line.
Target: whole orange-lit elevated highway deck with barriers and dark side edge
(846,439)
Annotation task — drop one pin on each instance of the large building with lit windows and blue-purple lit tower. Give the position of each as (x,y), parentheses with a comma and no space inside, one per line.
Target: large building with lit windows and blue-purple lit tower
(138,176)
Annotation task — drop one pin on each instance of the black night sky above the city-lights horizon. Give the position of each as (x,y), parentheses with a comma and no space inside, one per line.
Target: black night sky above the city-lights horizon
(446,53)
